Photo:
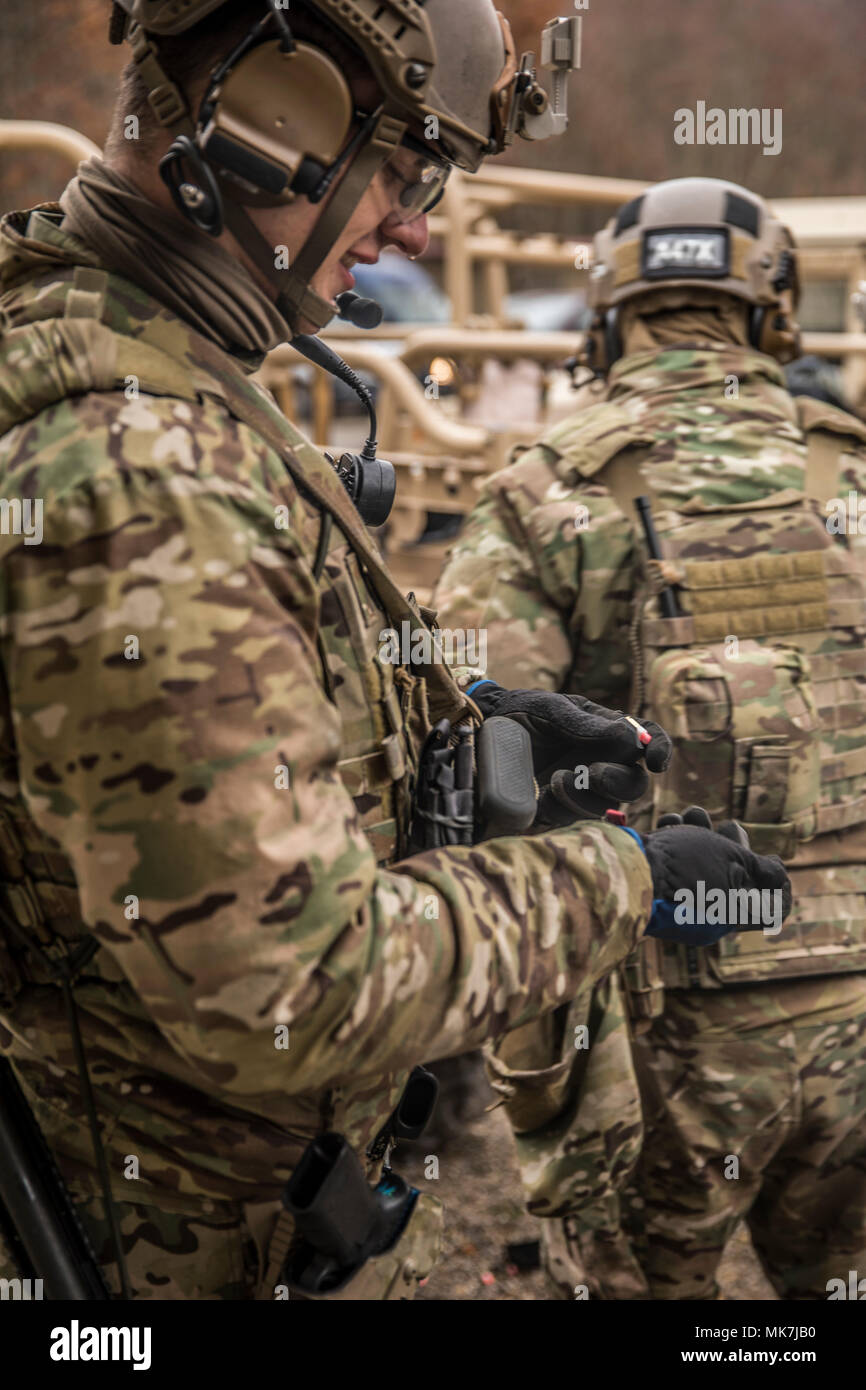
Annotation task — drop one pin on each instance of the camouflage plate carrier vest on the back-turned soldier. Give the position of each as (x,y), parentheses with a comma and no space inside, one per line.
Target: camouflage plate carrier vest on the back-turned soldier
(762,683)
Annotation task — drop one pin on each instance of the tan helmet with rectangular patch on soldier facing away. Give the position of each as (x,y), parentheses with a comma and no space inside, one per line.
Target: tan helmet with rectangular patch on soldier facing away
(696,233)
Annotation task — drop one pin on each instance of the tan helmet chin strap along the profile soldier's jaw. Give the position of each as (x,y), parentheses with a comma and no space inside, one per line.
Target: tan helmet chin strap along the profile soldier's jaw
(295,300)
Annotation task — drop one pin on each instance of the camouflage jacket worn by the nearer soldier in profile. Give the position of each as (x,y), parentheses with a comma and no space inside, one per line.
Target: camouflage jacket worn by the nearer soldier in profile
(206,767)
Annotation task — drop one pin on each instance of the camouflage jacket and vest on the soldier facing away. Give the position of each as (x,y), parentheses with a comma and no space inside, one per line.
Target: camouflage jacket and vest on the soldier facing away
(762,680)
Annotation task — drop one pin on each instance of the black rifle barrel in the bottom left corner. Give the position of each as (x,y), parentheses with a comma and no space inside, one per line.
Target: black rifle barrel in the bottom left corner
(38,1204)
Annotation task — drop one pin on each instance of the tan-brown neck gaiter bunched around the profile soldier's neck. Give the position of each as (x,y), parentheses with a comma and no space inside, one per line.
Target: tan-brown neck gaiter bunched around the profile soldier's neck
(181,268)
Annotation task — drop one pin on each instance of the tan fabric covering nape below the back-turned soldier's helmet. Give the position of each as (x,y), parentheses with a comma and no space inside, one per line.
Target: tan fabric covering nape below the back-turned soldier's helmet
(683,316)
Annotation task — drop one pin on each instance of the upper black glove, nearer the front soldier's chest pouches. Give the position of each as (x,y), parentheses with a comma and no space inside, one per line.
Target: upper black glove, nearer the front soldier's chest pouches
(586,758)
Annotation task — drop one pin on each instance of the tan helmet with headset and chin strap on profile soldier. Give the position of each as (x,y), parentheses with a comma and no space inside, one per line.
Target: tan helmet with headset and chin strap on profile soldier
(279,120)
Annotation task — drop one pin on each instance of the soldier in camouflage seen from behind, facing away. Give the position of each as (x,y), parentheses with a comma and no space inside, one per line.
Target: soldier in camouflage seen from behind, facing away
(753,1072)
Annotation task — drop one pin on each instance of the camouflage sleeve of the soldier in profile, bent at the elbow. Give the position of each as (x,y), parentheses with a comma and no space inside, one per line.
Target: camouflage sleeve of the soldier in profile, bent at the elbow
(162,662)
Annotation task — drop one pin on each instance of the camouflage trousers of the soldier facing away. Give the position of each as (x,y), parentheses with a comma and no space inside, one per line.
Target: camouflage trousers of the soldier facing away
(755,1109)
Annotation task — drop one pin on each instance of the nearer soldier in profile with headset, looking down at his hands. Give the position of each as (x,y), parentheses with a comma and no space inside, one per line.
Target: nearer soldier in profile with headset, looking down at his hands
(208,768)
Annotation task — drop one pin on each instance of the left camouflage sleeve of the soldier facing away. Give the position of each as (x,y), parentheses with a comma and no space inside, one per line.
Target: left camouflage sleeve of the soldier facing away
(543,572)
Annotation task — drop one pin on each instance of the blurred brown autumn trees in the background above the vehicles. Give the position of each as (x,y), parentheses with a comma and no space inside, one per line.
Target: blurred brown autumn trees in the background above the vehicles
(643,60)
